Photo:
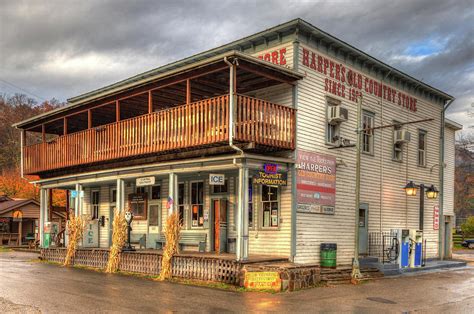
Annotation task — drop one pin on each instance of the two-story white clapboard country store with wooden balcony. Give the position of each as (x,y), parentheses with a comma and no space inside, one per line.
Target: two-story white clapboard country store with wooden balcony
(252,143)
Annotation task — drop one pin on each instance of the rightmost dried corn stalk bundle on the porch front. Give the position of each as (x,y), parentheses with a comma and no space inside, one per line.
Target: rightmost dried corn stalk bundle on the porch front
(172,233)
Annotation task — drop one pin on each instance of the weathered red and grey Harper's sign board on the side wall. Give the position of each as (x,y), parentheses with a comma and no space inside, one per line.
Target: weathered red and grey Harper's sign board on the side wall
(315,182)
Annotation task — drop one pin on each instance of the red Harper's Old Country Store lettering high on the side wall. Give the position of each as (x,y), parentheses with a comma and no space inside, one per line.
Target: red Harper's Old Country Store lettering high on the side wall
(339,76)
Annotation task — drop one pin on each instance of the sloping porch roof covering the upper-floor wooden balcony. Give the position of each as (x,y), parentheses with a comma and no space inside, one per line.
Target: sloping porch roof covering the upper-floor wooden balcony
(275,72)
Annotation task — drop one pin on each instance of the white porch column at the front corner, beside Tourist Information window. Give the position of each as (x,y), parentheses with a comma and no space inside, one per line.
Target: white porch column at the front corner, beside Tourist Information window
(242,250)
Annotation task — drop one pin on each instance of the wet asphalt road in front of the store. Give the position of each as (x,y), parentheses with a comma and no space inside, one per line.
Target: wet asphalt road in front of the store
(32,287)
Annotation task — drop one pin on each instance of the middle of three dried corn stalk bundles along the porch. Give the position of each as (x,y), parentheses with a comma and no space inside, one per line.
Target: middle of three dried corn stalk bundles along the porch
(119,236)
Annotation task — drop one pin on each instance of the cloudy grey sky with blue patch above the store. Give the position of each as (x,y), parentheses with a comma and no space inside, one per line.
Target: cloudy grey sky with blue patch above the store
(63,48)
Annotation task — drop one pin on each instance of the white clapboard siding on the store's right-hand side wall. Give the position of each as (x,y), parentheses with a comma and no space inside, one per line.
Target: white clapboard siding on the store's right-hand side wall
(382,178)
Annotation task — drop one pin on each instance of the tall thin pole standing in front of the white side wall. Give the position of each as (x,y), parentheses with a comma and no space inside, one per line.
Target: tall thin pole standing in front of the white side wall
(355,262)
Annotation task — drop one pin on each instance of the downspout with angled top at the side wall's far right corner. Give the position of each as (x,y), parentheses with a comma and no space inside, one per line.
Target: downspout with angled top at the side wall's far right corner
(441,183)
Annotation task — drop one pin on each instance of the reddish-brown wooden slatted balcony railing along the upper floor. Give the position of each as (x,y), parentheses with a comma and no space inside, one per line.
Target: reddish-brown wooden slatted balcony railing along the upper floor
(198,125)
